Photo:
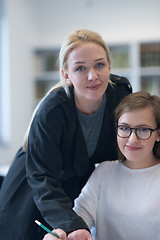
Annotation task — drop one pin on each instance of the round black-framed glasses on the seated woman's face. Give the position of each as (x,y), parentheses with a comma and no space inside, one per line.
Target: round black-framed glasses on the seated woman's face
(142,133)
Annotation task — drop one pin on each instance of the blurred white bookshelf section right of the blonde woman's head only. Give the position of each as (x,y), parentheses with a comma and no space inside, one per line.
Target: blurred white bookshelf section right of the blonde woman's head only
(140,63)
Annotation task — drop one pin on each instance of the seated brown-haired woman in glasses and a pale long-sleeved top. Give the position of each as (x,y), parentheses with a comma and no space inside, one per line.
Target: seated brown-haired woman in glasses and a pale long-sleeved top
(122,198)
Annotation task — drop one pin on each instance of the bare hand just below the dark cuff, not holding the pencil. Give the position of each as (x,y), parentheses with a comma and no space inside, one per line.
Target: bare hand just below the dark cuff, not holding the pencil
(81,234)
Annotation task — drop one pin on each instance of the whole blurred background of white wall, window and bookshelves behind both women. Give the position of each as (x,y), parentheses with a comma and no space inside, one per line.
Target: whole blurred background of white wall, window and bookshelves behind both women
(31,32)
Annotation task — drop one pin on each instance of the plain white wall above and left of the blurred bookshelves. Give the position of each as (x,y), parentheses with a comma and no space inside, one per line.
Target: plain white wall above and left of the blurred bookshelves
(33,23)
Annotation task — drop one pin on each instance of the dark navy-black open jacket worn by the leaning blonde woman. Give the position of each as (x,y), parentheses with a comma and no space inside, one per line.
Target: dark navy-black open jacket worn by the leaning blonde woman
(43,182)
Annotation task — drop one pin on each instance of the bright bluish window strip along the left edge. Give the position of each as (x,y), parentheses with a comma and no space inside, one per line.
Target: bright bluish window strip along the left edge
(4,79)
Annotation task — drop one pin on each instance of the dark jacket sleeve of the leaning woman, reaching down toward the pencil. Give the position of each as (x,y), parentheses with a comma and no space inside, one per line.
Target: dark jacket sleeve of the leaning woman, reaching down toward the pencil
(44,163)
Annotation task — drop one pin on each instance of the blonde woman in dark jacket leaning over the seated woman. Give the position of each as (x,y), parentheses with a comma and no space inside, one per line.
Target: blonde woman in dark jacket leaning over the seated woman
(67,136)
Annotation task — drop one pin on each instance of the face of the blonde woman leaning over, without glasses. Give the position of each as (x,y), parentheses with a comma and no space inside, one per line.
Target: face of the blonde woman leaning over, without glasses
(88,71)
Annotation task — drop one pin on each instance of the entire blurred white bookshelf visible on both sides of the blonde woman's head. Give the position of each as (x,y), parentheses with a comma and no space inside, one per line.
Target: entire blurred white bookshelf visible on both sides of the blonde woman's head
(139,62)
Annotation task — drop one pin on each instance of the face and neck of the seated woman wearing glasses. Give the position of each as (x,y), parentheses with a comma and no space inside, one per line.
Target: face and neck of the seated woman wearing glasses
(138,153)
